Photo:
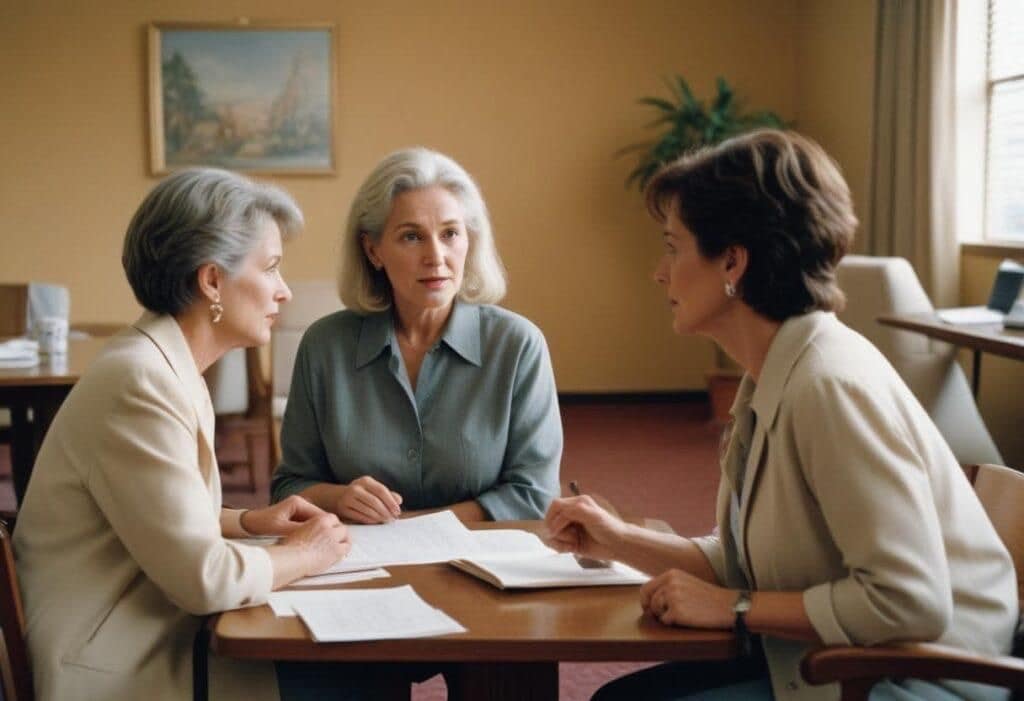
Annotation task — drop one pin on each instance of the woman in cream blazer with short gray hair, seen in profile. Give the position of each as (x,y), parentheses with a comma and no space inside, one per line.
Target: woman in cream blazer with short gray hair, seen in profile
(122,540)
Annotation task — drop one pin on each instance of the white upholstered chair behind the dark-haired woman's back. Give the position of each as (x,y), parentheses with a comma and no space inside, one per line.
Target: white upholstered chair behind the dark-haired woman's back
(878,287)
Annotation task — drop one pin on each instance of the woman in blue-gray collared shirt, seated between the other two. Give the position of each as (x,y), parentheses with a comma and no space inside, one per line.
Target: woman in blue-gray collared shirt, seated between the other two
(422,396)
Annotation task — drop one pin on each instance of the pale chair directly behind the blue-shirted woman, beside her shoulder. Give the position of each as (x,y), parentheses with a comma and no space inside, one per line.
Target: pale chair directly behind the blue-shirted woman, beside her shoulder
(311,301)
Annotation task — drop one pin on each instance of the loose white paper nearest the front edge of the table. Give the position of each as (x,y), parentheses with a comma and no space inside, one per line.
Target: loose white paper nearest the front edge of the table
(339,617)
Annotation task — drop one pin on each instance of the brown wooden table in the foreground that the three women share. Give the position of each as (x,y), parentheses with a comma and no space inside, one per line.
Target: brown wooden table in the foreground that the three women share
(515,639)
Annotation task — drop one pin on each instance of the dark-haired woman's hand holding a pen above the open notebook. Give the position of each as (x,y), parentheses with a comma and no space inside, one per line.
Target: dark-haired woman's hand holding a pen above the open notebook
(579,524)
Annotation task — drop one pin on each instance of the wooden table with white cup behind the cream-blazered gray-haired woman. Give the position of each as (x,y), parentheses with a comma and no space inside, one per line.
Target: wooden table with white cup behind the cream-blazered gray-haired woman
(41,389)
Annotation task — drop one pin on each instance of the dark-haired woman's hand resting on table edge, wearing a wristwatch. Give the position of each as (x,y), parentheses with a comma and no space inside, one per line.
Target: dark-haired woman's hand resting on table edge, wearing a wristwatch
(677,598)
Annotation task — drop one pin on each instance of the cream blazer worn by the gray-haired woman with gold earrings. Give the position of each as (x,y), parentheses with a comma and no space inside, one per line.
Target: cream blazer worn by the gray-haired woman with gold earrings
(118,543)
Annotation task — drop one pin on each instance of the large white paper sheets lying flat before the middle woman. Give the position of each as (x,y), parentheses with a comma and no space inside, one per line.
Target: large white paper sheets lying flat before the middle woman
(423,540)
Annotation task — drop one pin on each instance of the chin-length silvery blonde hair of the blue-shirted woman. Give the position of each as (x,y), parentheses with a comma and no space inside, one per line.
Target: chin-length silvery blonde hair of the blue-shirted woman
(366,290)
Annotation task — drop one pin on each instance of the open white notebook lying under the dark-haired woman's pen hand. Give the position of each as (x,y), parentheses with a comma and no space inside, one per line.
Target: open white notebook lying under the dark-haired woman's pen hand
(559,569)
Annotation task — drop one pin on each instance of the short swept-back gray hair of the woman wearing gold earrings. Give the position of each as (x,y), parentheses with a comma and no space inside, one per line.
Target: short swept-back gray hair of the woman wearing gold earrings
(194,217)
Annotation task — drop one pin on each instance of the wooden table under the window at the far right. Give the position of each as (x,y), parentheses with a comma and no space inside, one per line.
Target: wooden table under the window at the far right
(989,338)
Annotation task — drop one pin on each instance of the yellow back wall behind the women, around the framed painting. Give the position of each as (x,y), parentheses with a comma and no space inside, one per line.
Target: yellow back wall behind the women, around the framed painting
(533,98)
